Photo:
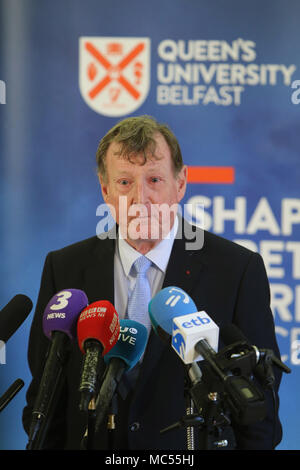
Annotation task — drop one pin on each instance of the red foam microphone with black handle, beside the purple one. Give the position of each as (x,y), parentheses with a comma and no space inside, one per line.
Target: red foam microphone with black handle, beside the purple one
(97,332)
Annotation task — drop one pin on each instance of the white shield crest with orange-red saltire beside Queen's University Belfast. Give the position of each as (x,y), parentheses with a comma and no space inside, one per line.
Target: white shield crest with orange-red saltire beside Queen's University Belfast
(114,73)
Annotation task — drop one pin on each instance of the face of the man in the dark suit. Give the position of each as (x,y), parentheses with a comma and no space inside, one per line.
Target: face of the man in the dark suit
(144,196)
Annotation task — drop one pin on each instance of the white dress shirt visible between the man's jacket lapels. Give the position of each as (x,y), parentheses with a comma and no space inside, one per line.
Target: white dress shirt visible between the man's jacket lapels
(125,256)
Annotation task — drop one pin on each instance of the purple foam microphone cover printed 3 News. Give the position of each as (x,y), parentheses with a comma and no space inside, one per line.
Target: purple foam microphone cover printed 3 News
(62,312)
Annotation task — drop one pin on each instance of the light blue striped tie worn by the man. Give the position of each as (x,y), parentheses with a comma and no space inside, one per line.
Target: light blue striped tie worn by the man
(141,294)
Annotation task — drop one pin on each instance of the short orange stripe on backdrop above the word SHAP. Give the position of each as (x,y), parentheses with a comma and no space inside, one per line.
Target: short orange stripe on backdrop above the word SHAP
(211,174)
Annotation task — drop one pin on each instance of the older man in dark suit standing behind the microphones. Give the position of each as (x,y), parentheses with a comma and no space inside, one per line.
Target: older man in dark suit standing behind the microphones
(143,179)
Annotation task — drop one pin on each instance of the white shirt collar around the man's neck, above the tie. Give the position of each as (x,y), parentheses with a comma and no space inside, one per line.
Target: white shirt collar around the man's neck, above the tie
(159,255)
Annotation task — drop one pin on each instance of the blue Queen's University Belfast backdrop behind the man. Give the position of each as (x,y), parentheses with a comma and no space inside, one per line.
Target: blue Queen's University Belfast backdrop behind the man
(223,75)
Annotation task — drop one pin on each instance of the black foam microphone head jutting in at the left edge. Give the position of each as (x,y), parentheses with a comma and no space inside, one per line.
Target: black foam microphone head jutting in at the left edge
(13,315)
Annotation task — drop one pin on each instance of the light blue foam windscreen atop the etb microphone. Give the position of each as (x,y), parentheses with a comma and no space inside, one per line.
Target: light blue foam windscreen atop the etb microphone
(165,305)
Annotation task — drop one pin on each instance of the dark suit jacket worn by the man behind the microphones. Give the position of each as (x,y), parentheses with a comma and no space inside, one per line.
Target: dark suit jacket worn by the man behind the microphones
(228,281)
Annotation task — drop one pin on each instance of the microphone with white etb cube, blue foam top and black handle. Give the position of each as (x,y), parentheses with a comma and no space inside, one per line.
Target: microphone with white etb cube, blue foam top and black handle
(194,337)
